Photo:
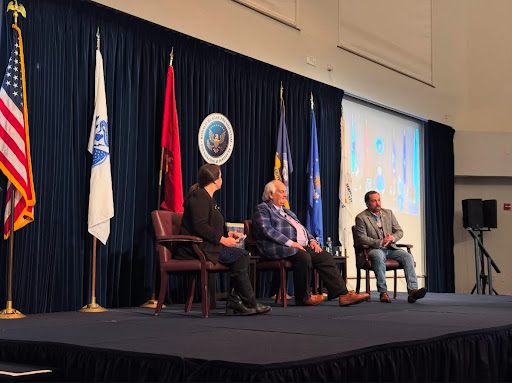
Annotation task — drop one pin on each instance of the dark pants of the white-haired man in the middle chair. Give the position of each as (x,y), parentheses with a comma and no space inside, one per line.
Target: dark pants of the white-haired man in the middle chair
(304,261)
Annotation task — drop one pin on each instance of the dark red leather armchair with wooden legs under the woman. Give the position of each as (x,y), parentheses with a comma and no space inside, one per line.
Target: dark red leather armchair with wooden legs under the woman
(167,228)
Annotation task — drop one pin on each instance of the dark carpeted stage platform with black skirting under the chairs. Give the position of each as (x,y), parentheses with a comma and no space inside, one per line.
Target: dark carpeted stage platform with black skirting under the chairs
(443,337)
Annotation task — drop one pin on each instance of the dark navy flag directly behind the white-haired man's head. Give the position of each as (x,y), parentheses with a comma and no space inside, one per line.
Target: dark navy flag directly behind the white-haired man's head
(283,166)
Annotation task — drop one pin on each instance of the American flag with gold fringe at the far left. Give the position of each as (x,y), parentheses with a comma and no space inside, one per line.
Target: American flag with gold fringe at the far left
(15,160)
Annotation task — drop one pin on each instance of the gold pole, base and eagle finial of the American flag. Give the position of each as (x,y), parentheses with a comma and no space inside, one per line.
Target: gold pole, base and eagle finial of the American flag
(9,312)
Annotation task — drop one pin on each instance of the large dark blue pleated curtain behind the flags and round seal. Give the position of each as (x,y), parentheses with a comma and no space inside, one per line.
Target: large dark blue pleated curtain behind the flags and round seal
(52,254)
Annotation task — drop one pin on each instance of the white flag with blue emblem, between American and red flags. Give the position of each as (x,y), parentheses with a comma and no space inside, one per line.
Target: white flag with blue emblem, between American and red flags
(101,201)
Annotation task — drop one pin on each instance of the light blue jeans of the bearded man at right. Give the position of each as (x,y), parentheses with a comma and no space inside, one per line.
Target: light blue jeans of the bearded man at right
(378,258)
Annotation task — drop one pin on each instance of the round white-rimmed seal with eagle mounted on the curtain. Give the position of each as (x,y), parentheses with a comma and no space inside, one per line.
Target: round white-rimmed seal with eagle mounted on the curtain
(216,139)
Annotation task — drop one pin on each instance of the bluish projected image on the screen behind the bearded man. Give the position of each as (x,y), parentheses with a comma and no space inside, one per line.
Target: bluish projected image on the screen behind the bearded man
(385,157)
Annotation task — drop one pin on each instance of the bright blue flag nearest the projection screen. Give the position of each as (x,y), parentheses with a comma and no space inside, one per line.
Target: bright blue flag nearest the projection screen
(314,209)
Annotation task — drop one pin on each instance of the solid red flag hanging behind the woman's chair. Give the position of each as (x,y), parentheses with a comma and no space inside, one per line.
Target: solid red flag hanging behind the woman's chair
(173,199)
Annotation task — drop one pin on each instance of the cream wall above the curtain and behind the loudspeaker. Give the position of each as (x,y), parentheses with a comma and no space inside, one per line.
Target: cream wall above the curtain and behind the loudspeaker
(472,72)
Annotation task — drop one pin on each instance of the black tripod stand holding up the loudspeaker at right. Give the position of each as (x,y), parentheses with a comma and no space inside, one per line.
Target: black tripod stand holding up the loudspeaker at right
(482,280)
